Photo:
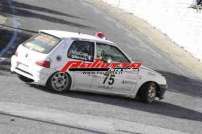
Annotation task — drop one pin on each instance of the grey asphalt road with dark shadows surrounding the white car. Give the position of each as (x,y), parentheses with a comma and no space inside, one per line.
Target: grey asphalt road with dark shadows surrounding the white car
(182,108)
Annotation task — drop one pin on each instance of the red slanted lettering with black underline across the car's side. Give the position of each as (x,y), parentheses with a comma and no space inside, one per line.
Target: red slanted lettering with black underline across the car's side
(97,65)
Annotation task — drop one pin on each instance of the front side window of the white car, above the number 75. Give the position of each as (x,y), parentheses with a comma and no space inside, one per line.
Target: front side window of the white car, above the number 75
(108,52)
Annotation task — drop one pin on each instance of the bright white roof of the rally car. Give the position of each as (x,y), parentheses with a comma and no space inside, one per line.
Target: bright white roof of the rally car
(65,34)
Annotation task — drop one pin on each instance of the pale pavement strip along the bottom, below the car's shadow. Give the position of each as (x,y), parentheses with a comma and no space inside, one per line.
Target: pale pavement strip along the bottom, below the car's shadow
(80,121)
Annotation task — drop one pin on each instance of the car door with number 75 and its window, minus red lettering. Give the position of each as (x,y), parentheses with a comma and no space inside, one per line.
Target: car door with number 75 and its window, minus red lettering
(115,82)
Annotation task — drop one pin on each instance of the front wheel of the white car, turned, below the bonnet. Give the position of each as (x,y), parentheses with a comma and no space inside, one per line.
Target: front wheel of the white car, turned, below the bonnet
(148,92)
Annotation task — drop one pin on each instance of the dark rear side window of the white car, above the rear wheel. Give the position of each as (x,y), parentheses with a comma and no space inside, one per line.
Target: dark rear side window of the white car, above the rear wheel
(81,50)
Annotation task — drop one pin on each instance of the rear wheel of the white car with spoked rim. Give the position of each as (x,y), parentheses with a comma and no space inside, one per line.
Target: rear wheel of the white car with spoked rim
(59,82)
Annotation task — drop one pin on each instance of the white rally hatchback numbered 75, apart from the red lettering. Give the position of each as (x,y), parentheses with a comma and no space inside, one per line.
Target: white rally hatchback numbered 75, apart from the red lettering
(39,59)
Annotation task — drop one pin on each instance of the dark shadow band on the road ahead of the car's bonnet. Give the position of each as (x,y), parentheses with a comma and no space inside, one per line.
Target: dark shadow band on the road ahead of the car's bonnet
(183,84)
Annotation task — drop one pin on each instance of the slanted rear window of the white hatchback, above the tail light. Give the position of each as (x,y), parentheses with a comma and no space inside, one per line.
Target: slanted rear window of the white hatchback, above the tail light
(42,43)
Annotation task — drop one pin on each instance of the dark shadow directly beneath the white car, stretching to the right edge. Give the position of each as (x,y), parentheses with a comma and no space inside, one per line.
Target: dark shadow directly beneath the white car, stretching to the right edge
(158,107)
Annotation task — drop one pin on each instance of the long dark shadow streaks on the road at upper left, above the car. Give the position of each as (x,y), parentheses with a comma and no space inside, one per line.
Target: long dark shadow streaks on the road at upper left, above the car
(25,10)
